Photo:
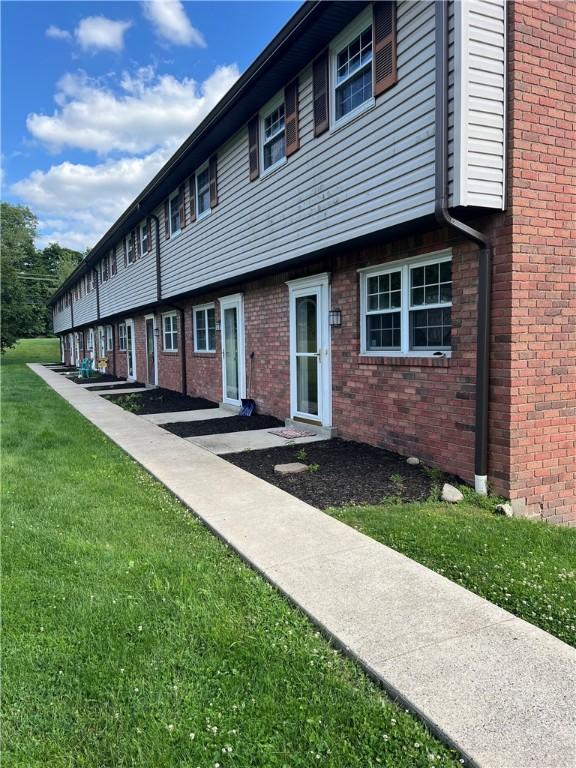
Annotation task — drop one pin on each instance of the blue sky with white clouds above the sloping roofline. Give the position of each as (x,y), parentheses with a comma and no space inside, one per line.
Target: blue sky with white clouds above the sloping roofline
(96,96)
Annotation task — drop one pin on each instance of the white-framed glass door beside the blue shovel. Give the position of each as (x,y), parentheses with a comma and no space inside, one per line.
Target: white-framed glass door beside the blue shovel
(232,330)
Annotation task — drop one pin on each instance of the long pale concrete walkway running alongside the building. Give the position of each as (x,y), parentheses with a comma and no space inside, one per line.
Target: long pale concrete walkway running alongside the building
(497,688)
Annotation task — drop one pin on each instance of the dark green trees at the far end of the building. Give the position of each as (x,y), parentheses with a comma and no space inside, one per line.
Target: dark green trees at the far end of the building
(29,275)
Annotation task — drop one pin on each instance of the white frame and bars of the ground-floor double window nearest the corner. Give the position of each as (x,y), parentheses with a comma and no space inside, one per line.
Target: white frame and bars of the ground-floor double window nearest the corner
(405,266)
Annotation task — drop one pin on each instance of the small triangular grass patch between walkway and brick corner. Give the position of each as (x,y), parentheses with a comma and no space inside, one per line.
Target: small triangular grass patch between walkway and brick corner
(527,567)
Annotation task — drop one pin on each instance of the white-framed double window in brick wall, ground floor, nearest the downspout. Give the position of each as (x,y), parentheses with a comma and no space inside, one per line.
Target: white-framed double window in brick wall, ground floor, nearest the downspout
(406,307)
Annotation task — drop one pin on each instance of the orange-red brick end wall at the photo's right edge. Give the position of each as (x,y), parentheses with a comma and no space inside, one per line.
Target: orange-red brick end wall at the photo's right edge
(542,227)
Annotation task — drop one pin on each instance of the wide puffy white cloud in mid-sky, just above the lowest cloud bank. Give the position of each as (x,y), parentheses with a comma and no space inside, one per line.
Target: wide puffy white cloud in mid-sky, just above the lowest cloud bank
(149,111)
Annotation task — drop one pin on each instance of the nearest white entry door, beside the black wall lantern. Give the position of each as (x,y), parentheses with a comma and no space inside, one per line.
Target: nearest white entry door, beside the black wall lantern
(310,372)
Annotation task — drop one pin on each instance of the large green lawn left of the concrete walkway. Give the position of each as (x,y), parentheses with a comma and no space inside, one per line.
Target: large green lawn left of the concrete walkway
(133,637)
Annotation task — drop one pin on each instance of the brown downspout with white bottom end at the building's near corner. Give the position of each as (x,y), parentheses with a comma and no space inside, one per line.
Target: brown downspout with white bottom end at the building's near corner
(444,218)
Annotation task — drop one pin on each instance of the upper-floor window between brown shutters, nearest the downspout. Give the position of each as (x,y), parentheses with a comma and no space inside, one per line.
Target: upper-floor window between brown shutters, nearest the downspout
(351,70)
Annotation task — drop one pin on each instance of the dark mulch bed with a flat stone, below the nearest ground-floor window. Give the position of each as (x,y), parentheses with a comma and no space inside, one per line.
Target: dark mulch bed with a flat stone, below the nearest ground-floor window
(348,473)
